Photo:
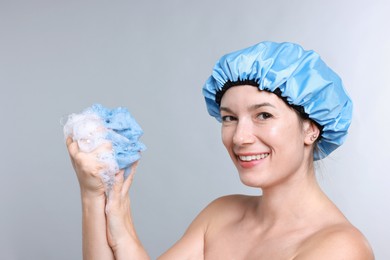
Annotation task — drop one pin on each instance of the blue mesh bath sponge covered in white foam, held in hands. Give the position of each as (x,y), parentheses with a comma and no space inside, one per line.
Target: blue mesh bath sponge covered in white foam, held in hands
(98,124)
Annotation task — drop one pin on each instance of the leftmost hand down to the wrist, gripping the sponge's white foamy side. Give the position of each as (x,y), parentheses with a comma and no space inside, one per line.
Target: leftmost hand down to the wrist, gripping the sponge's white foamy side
(88,168)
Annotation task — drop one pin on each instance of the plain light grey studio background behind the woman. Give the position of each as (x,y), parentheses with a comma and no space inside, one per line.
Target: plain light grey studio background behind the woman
(58,57)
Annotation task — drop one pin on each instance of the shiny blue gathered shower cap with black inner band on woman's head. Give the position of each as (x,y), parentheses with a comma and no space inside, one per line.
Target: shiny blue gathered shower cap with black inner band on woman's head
(297,76)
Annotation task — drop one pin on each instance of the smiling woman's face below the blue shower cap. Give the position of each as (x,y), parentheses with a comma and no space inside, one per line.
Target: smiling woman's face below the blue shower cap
(264,137)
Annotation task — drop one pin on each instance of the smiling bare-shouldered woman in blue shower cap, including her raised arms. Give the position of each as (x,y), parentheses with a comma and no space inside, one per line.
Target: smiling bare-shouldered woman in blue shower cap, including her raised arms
(281,109)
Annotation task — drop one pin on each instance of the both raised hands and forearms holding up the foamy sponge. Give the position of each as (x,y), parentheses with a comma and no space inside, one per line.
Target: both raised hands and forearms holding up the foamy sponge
(107,222)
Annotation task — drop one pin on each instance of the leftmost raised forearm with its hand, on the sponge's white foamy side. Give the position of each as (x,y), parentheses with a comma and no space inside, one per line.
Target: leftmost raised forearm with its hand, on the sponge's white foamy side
(95,244)
